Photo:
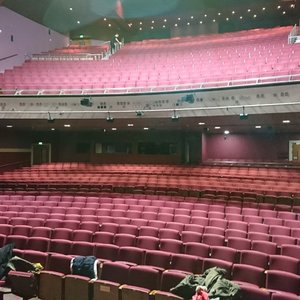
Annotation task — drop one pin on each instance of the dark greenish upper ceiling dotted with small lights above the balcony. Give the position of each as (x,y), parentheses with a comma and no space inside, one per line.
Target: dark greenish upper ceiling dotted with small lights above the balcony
(102,18)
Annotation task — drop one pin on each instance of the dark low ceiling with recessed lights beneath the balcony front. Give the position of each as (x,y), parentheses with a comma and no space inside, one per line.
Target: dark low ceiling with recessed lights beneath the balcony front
(270,124)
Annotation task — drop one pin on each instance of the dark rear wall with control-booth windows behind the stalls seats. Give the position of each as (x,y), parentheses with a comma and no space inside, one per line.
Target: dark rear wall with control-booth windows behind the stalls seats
(116,147)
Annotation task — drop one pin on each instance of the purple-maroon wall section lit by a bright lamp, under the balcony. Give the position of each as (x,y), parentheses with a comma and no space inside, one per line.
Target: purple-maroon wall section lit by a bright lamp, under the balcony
(257,147)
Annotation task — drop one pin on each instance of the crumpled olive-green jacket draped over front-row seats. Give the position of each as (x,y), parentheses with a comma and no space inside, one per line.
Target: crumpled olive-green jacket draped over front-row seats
(213,279)
